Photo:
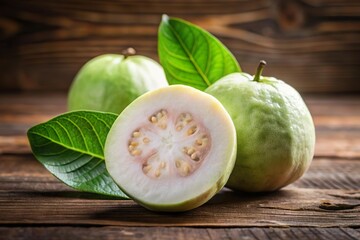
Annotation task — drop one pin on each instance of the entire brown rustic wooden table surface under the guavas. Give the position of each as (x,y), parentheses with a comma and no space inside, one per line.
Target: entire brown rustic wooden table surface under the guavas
(323,204)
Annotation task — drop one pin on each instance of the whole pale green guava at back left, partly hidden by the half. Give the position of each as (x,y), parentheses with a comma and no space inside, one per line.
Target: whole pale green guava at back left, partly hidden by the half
(110,82)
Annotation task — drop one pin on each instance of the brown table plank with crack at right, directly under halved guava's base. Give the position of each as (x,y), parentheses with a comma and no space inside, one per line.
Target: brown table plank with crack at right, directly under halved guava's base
(288,207)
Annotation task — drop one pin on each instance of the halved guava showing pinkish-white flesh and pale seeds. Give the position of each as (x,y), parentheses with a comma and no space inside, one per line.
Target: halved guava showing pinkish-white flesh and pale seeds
(172,148)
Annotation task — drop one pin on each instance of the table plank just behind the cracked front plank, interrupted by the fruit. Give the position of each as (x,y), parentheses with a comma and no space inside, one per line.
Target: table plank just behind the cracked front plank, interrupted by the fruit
(24,173)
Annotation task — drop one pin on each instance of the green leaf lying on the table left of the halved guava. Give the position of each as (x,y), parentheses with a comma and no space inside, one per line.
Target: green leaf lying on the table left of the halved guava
(71,147)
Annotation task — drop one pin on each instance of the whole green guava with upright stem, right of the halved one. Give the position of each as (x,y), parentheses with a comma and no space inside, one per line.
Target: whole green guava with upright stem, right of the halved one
(275,131)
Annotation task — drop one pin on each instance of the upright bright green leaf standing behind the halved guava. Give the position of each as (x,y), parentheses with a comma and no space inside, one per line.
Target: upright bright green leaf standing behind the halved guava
(192,56)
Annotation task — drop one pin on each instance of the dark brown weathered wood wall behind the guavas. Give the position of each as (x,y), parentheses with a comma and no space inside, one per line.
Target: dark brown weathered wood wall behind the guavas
(312,44)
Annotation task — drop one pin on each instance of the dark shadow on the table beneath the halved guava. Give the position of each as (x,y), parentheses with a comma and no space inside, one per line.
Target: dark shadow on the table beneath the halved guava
(214,212)
